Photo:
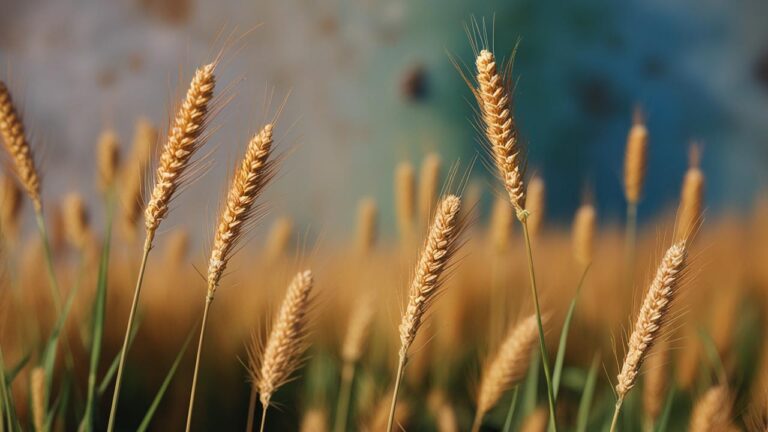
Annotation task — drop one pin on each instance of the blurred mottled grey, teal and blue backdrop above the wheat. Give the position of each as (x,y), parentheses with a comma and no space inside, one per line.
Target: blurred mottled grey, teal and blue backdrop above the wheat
(371,83)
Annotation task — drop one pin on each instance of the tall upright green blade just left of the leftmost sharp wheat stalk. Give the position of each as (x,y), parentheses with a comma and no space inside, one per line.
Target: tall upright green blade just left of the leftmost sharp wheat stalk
(97,325)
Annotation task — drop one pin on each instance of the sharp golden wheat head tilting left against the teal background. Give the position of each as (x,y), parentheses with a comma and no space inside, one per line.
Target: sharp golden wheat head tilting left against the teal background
(495,103)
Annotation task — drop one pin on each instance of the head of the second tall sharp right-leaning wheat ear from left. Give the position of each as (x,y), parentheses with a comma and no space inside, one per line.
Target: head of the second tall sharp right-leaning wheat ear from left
(251,178)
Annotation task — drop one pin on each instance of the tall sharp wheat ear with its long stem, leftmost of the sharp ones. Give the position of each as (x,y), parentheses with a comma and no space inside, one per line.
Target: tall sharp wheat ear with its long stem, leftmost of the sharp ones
(185,136)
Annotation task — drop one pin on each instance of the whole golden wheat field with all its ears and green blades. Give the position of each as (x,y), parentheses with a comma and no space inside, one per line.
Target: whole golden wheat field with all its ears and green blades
(466,319)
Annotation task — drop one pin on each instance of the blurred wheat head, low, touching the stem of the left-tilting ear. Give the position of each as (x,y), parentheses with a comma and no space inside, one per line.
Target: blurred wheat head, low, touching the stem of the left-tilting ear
(509,365)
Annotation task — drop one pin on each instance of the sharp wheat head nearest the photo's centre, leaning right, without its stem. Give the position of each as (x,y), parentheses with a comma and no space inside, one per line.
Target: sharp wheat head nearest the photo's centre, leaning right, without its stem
(439,246)
